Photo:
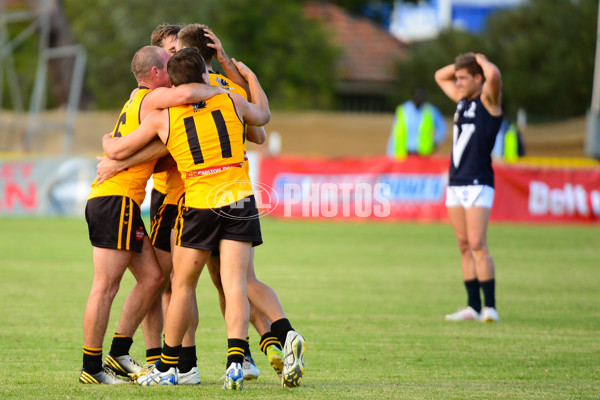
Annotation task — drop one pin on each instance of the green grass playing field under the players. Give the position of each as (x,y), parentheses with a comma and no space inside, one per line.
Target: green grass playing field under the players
(369,298)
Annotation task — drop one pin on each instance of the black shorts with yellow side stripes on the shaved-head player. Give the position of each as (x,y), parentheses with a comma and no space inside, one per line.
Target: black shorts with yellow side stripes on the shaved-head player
(115,222)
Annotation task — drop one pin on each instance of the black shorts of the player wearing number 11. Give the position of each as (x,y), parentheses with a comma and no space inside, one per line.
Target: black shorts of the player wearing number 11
(203,229)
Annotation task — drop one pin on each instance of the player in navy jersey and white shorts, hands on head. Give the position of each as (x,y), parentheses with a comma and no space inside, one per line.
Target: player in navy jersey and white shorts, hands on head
(475,84)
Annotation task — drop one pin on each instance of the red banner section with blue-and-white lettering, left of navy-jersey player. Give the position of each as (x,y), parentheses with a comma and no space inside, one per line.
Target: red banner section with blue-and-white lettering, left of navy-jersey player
(352,188)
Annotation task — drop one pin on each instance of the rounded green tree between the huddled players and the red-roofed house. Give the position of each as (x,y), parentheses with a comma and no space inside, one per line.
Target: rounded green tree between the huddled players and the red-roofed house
(290,54)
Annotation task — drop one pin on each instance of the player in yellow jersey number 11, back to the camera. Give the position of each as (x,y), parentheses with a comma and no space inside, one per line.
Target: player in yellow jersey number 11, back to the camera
(207,142)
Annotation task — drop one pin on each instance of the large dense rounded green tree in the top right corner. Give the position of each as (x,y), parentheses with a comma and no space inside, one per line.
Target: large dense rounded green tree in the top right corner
(546,53)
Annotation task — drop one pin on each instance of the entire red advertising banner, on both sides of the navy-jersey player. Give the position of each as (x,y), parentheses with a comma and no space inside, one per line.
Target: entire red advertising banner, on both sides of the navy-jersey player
(415,189)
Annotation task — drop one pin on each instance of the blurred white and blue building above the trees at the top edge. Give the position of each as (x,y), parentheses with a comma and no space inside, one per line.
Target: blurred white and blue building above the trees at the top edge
(424,20)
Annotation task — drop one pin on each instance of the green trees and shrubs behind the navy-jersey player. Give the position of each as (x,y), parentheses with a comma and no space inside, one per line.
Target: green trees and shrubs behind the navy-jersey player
(544,49)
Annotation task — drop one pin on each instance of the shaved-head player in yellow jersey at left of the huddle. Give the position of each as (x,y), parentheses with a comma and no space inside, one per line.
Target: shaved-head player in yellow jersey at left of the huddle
(117,232)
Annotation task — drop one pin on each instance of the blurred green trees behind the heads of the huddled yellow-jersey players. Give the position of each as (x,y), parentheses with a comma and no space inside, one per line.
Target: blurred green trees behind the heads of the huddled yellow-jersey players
(289,54)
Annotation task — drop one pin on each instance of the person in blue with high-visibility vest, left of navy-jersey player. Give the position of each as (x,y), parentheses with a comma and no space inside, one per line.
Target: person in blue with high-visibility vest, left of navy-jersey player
(418,127)
